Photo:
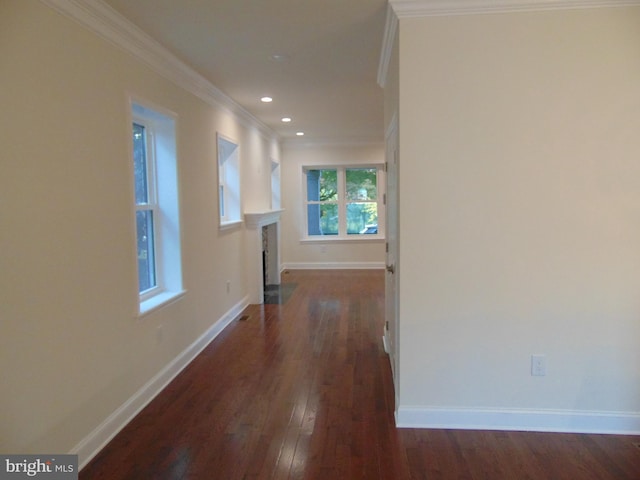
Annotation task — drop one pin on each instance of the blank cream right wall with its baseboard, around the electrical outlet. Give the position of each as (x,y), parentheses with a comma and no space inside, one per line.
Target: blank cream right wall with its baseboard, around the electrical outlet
(519,223)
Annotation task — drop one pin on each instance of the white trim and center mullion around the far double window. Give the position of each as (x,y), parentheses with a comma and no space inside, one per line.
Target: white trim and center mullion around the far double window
(342,236)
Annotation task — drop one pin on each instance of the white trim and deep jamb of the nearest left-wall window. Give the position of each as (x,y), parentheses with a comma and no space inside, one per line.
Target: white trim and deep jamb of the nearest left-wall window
(167,247)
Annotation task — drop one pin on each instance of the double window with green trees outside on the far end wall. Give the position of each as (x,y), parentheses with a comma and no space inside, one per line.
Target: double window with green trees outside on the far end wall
(344,202)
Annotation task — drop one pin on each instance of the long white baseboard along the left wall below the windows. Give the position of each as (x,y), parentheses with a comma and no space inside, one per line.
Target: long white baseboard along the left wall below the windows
(91,445)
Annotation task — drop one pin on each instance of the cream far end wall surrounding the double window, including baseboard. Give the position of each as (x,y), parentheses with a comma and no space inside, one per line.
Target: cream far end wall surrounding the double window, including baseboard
(329,254)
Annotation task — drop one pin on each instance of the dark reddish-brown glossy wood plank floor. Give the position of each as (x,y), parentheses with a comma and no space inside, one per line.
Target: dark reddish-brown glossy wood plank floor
(303,390)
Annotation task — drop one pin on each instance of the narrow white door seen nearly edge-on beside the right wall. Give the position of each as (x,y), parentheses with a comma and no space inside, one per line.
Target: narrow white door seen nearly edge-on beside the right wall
(391,278)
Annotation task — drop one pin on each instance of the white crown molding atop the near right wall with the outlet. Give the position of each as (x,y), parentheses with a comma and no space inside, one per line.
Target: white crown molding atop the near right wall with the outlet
(426,8)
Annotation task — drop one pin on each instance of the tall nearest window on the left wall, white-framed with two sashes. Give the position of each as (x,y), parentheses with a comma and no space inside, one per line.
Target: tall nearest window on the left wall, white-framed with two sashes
(156,207)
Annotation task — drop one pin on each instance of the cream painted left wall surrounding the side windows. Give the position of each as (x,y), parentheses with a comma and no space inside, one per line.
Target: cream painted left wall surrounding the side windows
(72,349)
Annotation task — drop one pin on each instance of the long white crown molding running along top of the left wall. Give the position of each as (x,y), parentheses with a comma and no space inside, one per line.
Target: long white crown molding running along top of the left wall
(108,24)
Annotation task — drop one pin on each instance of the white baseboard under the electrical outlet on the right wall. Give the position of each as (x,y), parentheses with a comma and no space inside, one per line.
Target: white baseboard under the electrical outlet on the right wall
(561,421)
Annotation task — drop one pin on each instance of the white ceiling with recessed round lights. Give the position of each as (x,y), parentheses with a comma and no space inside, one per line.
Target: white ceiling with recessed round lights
(327,83)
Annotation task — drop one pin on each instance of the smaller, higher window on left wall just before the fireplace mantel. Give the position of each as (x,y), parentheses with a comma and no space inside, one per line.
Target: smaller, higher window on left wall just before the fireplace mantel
(230,204)
